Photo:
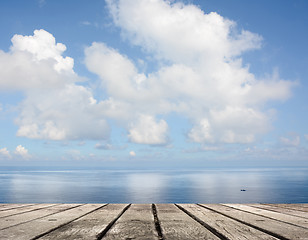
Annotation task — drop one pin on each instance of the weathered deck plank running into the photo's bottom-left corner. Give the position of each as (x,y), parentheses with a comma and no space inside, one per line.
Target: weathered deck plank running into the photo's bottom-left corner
(39,227)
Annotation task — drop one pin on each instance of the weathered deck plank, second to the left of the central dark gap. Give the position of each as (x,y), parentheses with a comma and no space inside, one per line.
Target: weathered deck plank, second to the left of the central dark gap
(89,226)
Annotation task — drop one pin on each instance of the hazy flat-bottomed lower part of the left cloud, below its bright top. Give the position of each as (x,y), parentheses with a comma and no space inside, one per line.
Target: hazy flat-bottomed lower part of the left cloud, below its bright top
(69,113)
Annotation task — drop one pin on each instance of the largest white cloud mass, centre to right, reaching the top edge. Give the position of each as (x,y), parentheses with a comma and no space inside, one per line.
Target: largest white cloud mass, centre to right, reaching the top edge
(201,74)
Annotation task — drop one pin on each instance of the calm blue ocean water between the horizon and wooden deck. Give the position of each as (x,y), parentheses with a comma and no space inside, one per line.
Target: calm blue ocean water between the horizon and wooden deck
(121,186)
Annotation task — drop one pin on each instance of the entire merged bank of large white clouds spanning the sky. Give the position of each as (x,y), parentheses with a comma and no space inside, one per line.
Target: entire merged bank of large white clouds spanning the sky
(200,75)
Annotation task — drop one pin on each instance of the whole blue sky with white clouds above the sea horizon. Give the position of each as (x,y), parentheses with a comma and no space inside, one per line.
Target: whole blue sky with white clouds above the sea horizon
(153,83)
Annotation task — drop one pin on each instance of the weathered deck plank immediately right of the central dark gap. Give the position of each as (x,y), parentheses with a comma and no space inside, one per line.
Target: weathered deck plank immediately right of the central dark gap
(176,224)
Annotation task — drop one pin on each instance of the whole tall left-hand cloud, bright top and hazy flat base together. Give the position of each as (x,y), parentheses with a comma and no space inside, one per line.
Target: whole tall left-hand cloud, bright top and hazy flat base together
(55,106)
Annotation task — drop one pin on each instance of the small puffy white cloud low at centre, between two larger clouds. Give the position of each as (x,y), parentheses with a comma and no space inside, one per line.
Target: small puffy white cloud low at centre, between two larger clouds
(146,130)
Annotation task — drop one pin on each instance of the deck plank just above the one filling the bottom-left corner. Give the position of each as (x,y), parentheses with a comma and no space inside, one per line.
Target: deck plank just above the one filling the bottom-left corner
(29,216)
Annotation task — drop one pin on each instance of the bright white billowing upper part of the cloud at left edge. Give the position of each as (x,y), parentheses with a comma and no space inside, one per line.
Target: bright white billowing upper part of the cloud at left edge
(36,62)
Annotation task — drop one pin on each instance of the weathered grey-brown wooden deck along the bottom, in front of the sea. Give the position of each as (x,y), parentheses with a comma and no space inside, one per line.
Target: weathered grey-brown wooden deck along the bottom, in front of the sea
(153,221)
